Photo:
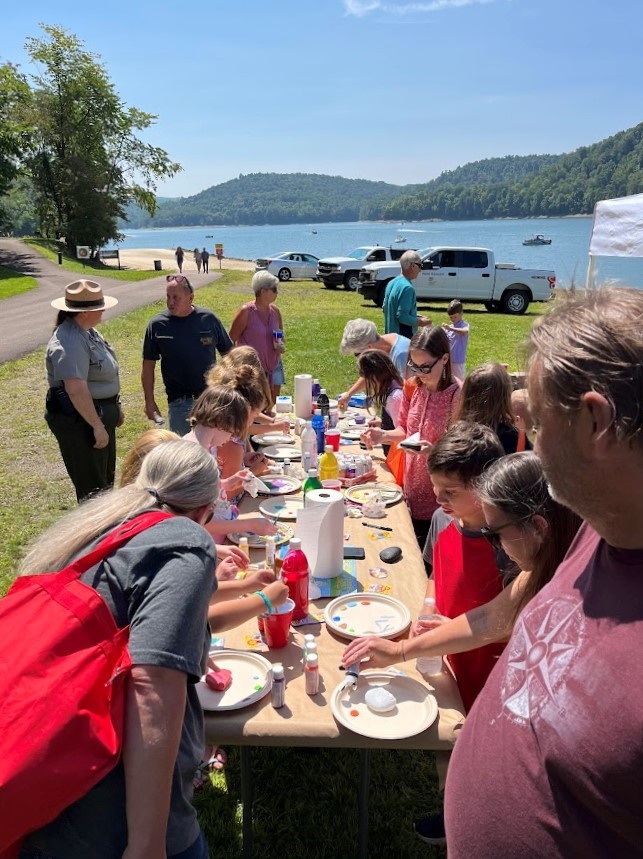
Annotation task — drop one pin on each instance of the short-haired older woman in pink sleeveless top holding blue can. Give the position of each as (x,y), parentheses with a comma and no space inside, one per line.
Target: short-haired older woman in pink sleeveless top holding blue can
(256,324)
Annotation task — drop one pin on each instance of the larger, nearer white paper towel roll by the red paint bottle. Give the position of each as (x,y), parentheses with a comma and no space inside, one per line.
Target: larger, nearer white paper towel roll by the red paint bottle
(320,525)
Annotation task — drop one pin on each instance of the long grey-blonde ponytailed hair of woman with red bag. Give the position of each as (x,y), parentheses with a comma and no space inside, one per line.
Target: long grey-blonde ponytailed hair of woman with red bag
(178,476)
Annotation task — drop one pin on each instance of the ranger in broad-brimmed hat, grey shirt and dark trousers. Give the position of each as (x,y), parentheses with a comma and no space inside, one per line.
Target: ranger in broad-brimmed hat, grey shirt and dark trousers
(83,403)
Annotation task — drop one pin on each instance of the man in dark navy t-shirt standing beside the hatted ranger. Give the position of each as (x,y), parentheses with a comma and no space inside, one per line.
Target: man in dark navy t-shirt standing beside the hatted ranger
(186,339)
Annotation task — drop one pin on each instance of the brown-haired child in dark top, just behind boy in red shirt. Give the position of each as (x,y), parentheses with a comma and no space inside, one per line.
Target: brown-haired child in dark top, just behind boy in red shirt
(486,399)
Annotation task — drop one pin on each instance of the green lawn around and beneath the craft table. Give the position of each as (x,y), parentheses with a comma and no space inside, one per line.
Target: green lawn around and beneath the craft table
(305,800)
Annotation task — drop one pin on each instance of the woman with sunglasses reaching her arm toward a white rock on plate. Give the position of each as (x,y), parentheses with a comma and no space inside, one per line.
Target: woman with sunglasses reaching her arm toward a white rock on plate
(535,532)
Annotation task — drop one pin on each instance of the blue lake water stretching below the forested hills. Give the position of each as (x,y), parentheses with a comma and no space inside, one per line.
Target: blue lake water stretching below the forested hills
(567,255)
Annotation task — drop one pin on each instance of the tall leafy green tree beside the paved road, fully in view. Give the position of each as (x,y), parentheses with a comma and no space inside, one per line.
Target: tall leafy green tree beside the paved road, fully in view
(87,163)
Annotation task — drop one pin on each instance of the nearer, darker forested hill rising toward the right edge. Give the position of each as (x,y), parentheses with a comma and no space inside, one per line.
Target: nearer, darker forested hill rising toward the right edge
(570,185)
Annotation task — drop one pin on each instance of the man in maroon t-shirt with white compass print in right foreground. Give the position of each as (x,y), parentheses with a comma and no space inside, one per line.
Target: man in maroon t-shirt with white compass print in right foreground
(549,761)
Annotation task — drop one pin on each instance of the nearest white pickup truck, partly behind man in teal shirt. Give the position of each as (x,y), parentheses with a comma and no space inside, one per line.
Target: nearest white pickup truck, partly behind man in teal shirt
(470,274)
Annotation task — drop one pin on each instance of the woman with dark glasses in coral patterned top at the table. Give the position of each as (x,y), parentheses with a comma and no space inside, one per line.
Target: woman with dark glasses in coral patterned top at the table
(427,412)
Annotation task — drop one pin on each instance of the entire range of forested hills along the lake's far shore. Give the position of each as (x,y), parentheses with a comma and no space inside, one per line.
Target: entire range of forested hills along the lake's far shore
(513,186)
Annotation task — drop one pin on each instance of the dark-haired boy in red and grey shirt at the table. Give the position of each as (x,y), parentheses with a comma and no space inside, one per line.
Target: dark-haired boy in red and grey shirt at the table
(464,567)
